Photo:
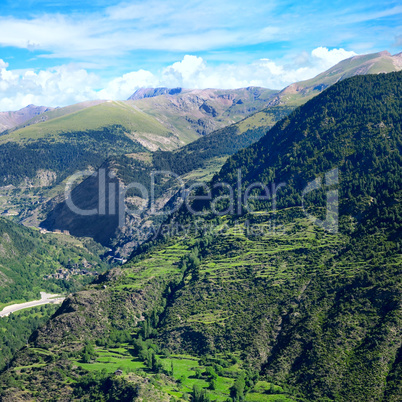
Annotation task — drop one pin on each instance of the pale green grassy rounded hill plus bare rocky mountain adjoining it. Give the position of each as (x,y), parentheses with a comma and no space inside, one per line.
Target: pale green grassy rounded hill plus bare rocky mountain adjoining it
(163,122)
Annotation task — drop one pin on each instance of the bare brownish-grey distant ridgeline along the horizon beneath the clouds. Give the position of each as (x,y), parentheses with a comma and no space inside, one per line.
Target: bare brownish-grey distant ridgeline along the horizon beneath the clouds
(189,113)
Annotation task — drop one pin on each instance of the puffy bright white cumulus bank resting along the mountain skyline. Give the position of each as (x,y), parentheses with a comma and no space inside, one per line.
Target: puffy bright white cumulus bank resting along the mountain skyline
(69,84)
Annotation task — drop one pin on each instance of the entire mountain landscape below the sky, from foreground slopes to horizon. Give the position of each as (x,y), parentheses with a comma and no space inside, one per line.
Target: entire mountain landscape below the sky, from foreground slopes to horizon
(276,278)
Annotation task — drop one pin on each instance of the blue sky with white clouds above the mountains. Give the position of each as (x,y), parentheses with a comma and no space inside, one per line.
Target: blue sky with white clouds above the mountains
(56,52)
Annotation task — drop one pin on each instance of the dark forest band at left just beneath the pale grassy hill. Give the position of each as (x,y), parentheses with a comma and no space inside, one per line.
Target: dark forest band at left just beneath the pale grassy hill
(64,154)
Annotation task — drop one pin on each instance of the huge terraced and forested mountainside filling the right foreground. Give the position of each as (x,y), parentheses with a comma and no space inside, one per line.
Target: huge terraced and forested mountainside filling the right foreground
(257,305)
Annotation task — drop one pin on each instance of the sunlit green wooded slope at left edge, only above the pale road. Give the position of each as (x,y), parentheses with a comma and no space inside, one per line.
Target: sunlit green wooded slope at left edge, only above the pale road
(26,256)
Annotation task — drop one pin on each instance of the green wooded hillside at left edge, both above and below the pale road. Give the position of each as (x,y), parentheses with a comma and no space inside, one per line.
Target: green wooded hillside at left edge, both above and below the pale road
(30,262)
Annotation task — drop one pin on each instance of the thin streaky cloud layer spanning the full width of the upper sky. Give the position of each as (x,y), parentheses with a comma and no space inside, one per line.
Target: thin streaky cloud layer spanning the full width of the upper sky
(193,26)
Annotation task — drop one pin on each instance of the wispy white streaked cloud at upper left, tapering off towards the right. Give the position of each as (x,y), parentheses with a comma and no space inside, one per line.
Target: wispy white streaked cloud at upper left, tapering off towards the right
(129,27)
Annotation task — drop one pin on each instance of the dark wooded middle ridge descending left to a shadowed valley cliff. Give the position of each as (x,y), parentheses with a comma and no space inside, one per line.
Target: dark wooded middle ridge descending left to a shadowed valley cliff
(196,161)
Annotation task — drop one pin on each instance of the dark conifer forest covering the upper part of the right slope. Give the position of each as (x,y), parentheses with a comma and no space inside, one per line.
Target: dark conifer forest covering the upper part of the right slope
(357,131)
